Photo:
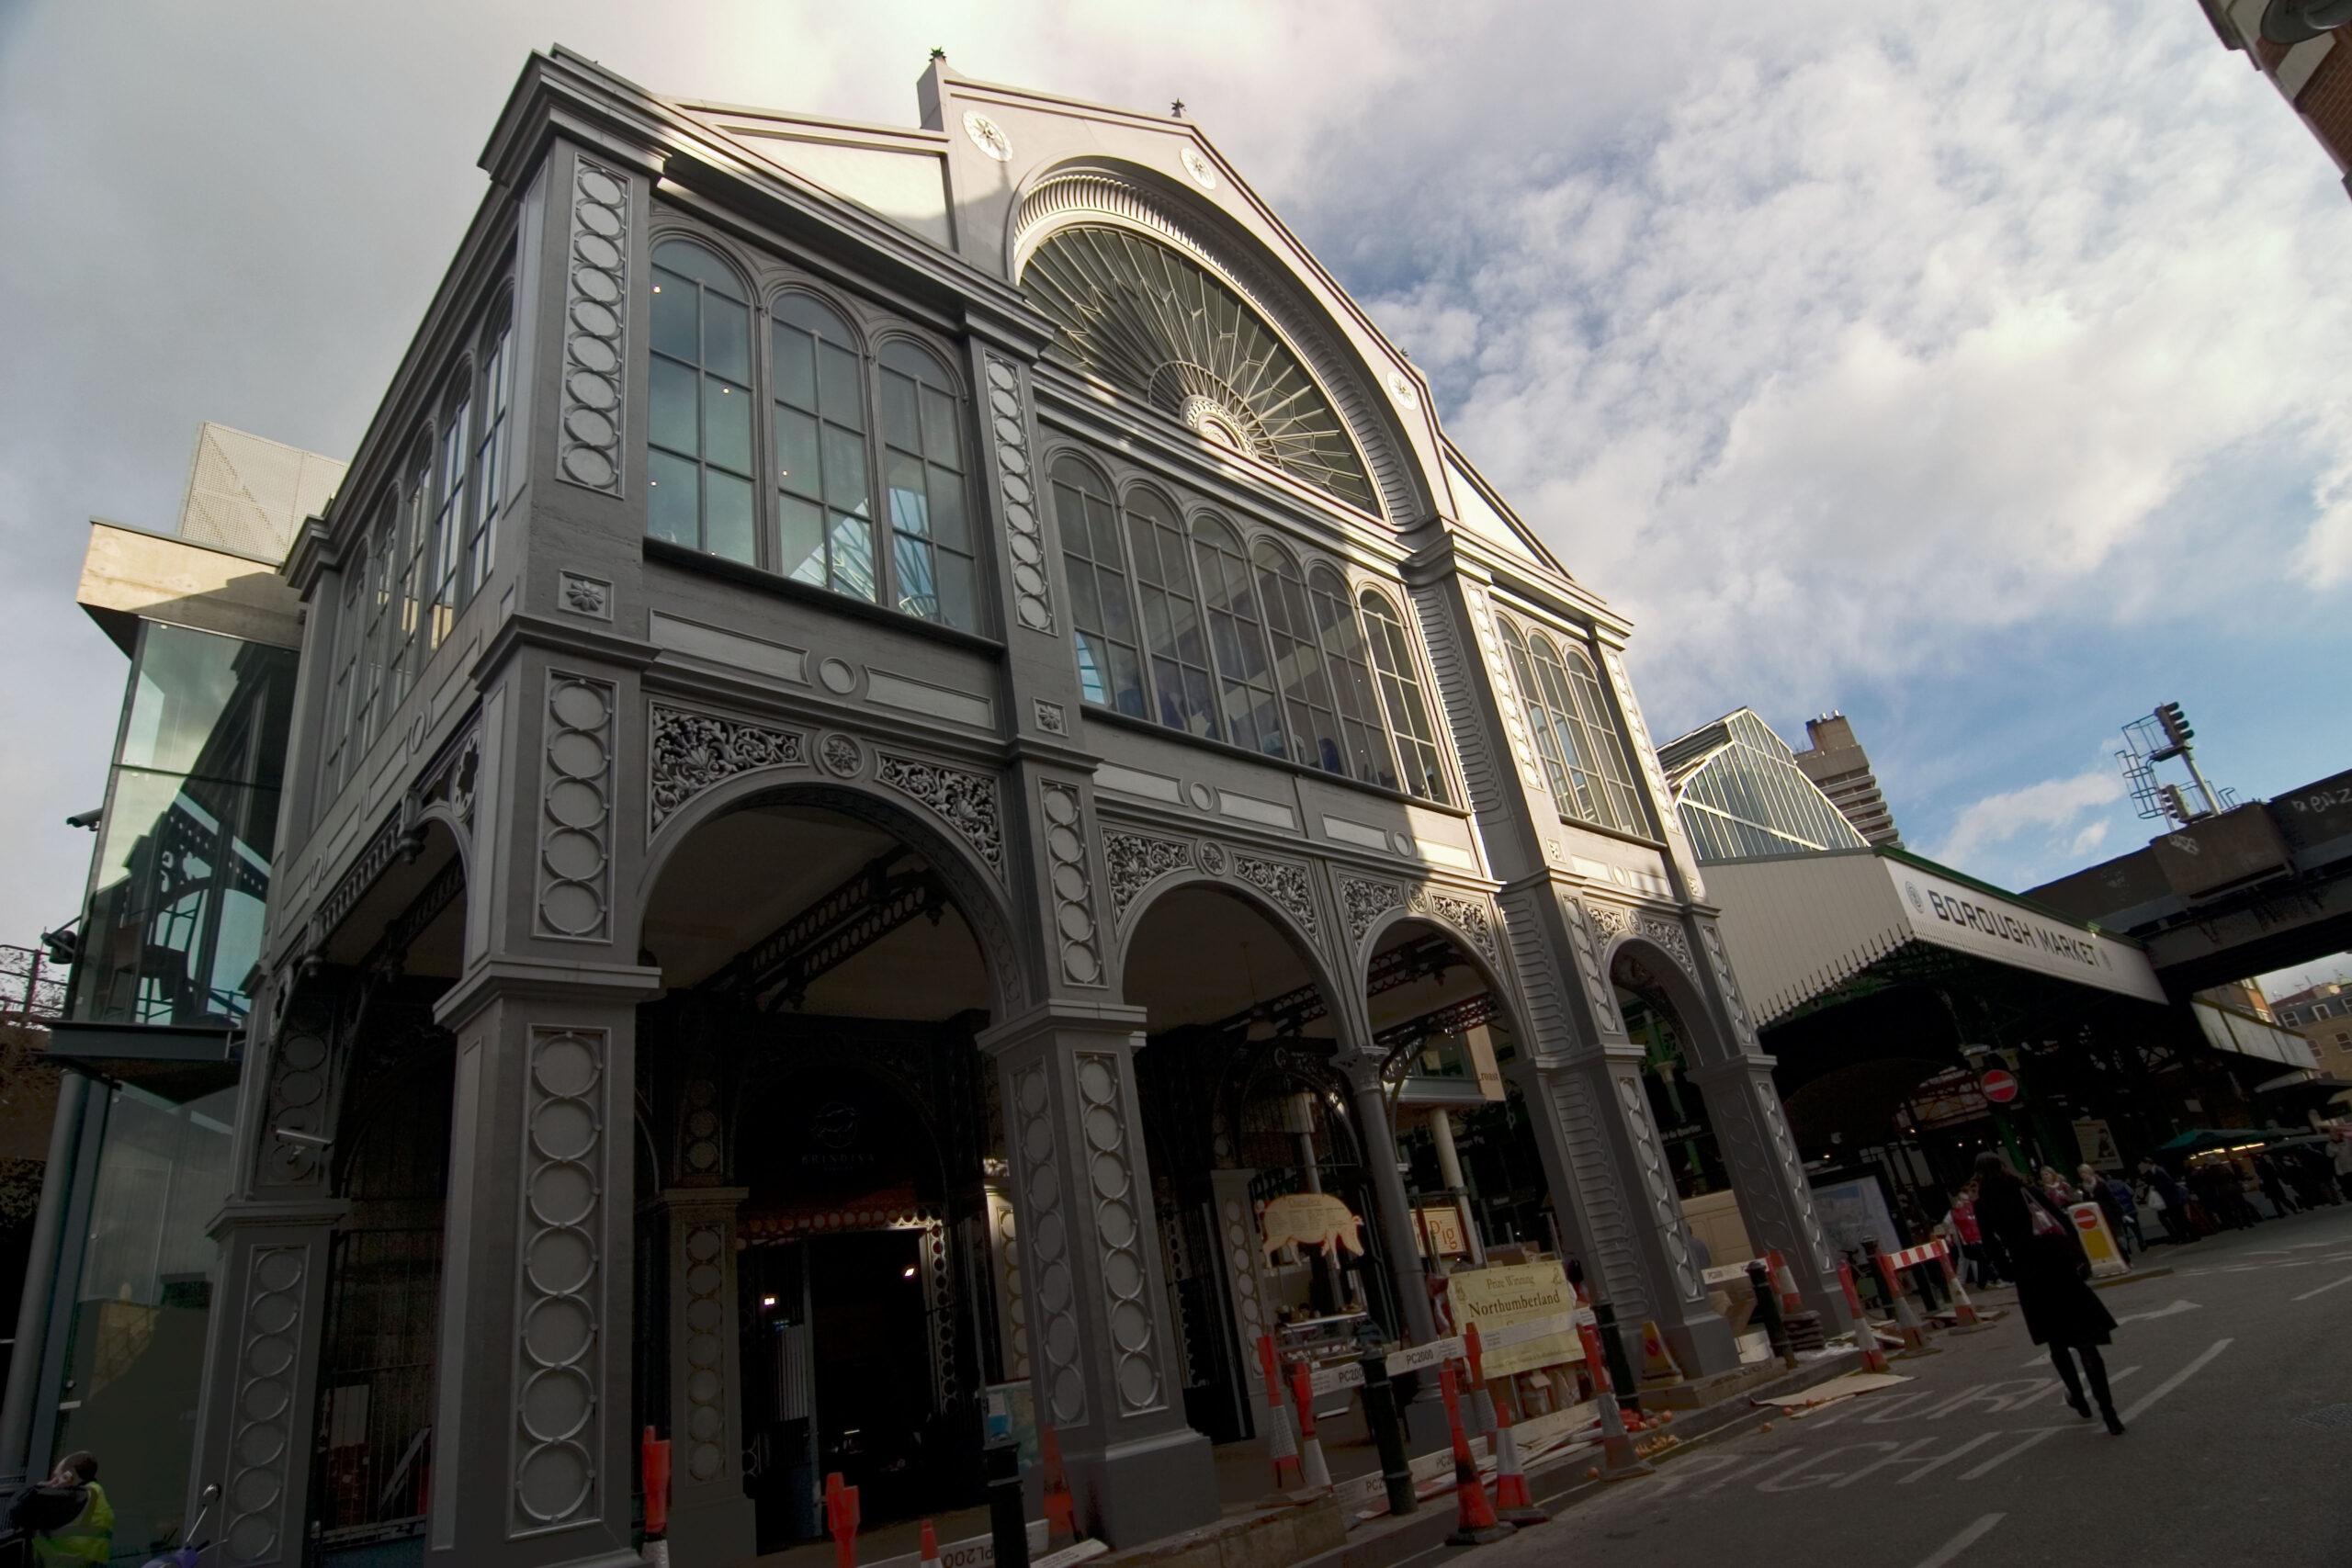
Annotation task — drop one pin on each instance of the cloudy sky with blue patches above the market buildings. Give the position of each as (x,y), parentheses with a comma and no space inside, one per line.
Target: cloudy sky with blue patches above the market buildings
(1975,370)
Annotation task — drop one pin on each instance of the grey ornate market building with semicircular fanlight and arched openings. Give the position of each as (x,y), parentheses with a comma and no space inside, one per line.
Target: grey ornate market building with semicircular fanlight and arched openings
(907,706)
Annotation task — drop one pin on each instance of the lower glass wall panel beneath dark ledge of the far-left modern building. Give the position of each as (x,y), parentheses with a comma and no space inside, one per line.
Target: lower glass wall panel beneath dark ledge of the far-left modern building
(135,1346)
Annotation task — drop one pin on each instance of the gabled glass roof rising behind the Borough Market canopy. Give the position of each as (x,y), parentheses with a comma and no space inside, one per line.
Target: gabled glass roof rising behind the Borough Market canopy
(1742,796)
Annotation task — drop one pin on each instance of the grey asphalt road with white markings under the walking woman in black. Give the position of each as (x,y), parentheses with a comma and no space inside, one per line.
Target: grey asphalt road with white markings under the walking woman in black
(2233,1376)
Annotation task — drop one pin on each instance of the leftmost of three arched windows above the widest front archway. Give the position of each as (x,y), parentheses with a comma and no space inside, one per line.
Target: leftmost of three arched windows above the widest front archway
(700,469)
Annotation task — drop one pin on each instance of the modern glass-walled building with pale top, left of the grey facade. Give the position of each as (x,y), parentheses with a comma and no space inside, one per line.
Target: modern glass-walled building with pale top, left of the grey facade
(119,1287)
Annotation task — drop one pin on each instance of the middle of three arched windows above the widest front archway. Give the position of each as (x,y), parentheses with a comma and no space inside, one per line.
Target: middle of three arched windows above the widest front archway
(824,523)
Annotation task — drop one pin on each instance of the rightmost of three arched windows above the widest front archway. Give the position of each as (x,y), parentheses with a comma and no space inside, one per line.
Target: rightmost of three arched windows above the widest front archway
(923,471)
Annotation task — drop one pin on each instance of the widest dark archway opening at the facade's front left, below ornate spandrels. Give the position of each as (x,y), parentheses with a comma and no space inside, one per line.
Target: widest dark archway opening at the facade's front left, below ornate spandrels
(820,1123)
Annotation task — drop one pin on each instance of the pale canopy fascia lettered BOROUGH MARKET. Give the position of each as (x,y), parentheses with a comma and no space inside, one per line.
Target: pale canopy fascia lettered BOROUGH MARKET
(1803,925)
